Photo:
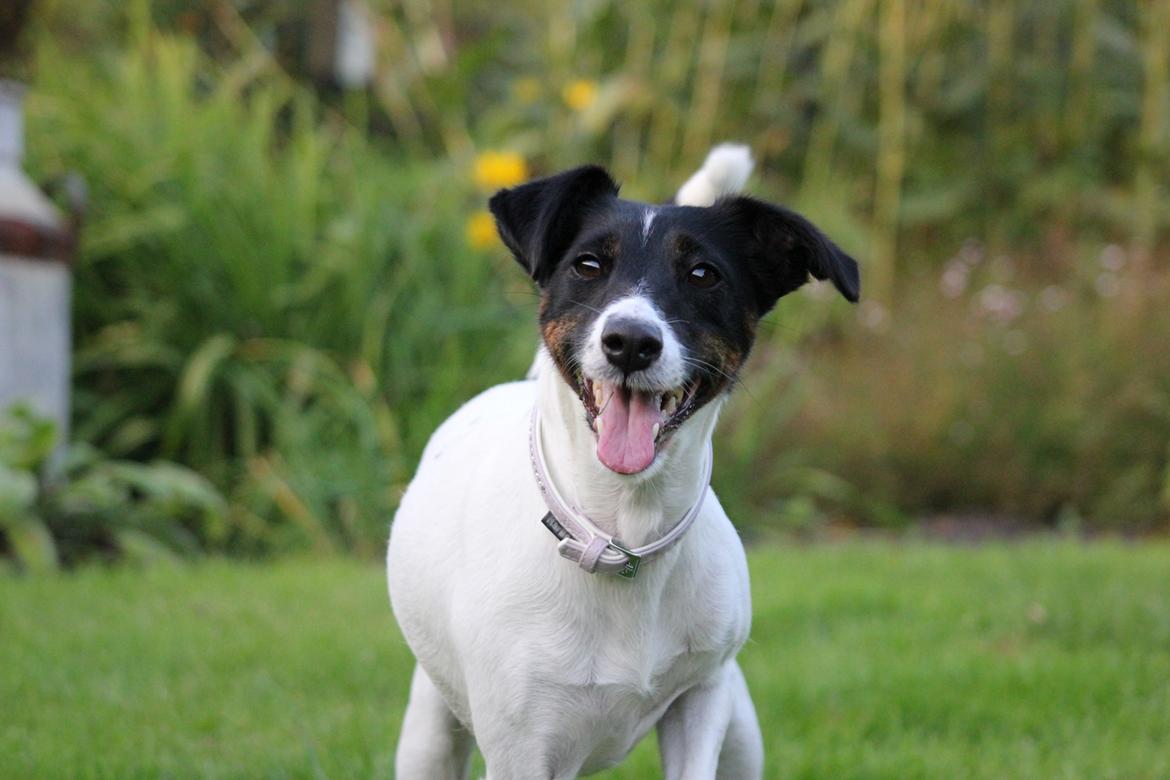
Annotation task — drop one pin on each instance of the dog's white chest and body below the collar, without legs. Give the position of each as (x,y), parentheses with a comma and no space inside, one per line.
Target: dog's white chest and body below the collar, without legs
(521,641)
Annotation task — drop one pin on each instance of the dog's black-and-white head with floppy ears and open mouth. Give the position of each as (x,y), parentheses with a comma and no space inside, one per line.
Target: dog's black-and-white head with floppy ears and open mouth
(650,312)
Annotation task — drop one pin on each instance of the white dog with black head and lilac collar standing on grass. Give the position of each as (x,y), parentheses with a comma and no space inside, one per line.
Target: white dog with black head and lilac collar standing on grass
(560,568)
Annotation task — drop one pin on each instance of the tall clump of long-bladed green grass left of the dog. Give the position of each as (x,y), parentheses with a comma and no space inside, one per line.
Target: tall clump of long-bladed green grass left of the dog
(263,294)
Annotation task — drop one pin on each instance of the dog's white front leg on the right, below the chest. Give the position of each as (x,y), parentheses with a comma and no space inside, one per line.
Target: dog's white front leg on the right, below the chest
(711,731)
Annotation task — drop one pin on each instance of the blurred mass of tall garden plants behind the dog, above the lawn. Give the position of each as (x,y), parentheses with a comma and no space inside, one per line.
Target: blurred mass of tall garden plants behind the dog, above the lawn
(287,287)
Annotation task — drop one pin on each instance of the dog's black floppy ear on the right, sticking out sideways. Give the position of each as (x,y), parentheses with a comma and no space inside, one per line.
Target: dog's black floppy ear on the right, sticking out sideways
(784,250)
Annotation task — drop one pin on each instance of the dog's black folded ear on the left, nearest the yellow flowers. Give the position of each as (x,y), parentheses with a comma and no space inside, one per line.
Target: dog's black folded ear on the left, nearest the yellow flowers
(539,220)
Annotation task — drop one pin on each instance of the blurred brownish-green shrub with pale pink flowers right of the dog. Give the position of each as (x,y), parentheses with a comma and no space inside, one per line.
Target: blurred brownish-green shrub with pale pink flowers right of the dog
(989,389)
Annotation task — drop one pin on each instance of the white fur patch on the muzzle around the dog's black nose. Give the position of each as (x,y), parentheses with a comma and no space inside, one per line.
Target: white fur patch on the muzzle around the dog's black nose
(670,371)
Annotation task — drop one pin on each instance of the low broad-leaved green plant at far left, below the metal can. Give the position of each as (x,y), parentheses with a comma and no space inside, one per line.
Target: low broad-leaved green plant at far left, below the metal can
(88,506)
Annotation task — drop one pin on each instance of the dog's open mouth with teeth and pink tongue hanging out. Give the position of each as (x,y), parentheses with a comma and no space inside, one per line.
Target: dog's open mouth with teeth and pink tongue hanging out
(634,425)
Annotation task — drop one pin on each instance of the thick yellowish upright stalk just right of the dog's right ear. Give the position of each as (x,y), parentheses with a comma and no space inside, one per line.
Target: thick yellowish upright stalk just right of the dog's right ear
(892,147)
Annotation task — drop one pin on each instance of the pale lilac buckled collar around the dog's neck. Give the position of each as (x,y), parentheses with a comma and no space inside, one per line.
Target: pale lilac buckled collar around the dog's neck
(581,540)
